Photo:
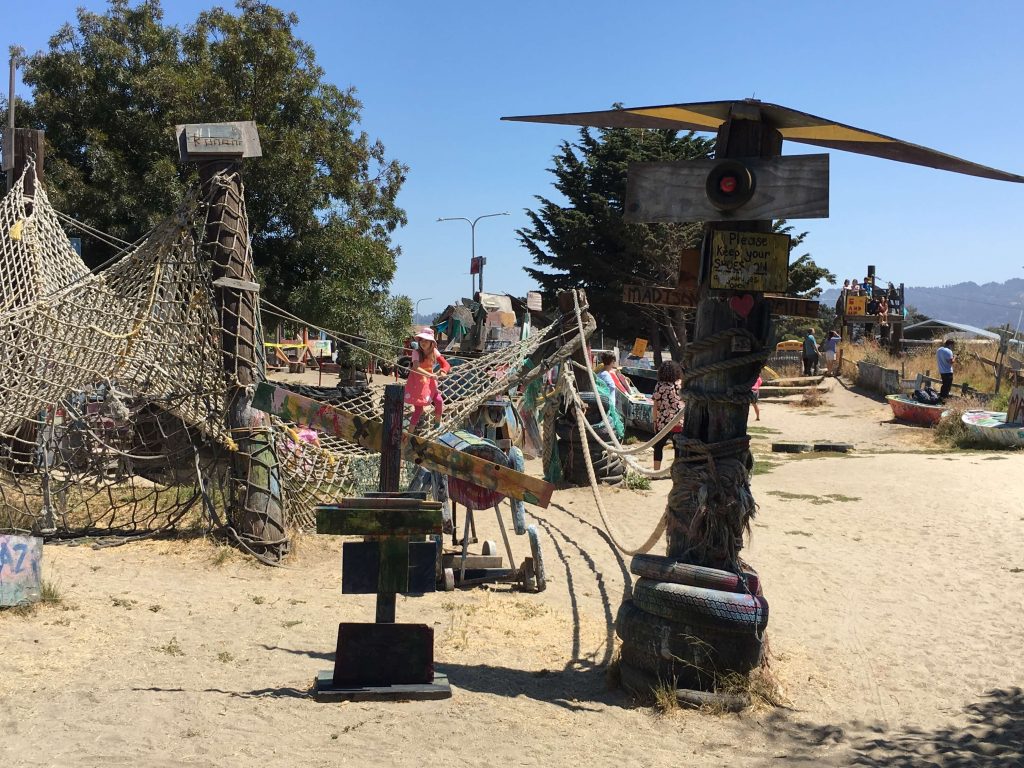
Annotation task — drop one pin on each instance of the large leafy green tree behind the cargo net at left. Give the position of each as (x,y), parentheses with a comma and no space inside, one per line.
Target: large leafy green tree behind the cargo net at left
(321,201)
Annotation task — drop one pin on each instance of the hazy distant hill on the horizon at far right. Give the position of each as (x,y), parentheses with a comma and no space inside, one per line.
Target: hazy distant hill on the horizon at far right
(985,307)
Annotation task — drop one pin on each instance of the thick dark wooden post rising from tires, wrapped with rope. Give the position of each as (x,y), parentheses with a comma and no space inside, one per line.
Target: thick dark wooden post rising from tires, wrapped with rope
(713,536)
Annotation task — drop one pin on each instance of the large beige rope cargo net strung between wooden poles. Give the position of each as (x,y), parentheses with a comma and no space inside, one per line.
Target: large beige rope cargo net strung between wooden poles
(114,395)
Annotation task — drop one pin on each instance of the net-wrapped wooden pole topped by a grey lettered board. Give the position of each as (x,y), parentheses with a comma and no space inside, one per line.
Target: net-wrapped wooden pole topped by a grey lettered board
(259,513)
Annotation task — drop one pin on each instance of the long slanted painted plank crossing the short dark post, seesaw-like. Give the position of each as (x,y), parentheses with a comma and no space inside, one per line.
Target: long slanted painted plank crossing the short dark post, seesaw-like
(434,456)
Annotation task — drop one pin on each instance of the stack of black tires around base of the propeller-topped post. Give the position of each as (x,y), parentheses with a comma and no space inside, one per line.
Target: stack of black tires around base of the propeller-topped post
(689,627)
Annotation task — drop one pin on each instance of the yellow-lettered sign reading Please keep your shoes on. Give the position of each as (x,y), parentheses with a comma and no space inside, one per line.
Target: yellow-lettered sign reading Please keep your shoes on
(750,262)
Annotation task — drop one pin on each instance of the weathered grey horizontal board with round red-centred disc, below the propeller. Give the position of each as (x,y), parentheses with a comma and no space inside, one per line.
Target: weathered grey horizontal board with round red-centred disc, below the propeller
(794,187)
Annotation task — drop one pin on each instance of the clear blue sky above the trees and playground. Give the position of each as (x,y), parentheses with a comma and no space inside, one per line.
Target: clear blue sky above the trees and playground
(435,79)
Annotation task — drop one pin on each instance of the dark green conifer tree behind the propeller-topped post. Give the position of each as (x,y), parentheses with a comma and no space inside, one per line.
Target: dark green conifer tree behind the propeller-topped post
(585,242)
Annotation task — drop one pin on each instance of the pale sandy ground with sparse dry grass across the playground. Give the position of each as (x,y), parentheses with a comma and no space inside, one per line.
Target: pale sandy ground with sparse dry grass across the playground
(894,577)
